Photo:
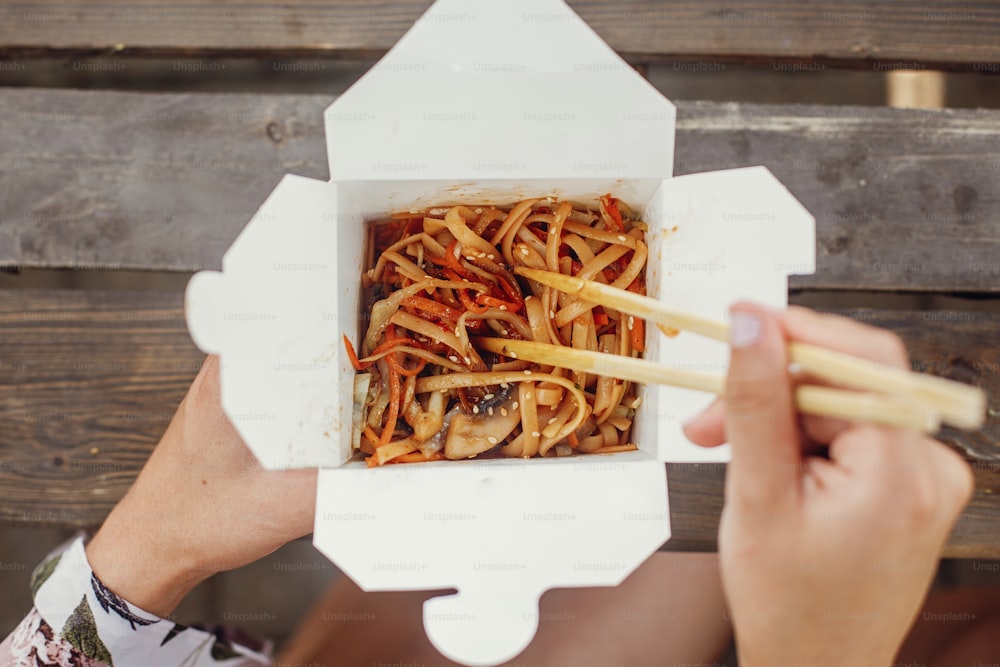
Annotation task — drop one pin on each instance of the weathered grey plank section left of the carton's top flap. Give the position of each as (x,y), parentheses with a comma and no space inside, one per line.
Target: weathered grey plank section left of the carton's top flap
(112,180)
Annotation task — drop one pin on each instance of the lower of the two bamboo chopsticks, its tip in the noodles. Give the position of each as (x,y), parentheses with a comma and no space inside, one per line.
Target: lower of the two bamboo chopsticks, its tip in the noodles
(822,401)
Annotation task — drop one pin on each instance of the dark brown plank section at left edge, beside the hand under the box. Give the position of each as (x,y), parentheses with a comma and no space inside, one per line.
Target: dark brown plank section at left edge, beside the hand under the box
(89,380)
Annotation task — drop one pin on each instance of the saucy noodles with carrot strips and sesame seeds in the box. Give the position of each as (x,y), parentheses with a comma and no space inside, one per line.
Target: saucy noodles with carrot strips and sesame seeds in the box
(439,280)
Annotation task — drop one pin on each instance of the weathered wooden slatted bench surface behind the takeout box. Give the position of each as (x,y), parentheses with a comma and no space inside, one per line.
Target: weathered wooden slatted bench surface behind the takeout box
(905,200)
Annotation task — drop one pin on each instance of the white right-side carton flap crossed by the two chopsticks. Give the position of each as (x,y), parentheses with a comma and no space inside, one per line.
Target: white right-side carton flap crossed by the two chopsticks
(727,236)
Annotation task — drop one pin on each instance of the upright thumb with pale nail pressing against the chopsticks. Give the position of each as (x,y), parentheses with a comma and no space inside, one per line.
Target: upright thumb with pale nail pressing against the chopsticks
(760,413)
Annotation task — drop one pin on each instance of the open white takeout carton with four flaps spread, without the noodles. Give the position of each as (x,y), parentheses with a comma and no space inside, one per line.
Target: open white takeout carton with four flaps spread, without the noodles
(484,102)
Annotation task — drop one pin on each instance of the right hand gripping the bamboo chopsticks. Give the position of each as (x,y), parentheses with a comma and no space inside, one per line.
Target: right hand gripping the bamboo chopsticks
(824,561)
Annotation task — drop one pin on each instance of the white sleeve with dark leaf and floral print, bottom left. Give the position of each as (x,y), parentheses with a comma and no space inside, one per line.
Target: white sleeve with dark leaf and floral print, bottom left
(78,622)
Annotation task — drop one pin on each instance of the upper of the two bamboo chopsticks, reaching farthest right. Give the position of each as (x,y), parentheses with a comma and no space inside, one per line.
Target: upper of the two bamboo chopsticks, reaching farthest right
(958,404)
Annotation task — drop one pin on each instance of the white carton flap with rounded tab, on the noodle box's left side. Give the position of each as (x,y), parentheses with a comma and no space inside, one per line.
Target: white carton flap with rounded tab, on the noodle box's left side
(271,315)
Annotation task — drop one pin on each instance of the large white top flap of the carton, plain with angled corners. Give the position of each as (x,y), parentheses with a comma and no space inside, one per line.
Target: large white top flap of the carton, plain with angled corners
(485,89)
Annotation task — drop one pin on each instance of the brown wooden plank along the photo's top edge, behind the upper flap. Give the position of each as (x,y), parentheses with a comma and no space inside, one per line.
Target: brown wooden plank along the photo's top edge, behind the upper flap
(896,32)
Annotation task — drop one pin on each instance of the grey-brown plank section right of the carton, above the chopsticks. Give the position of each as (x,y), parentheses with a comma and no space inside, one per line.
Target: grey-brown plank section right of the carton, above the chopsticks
(903,200)
